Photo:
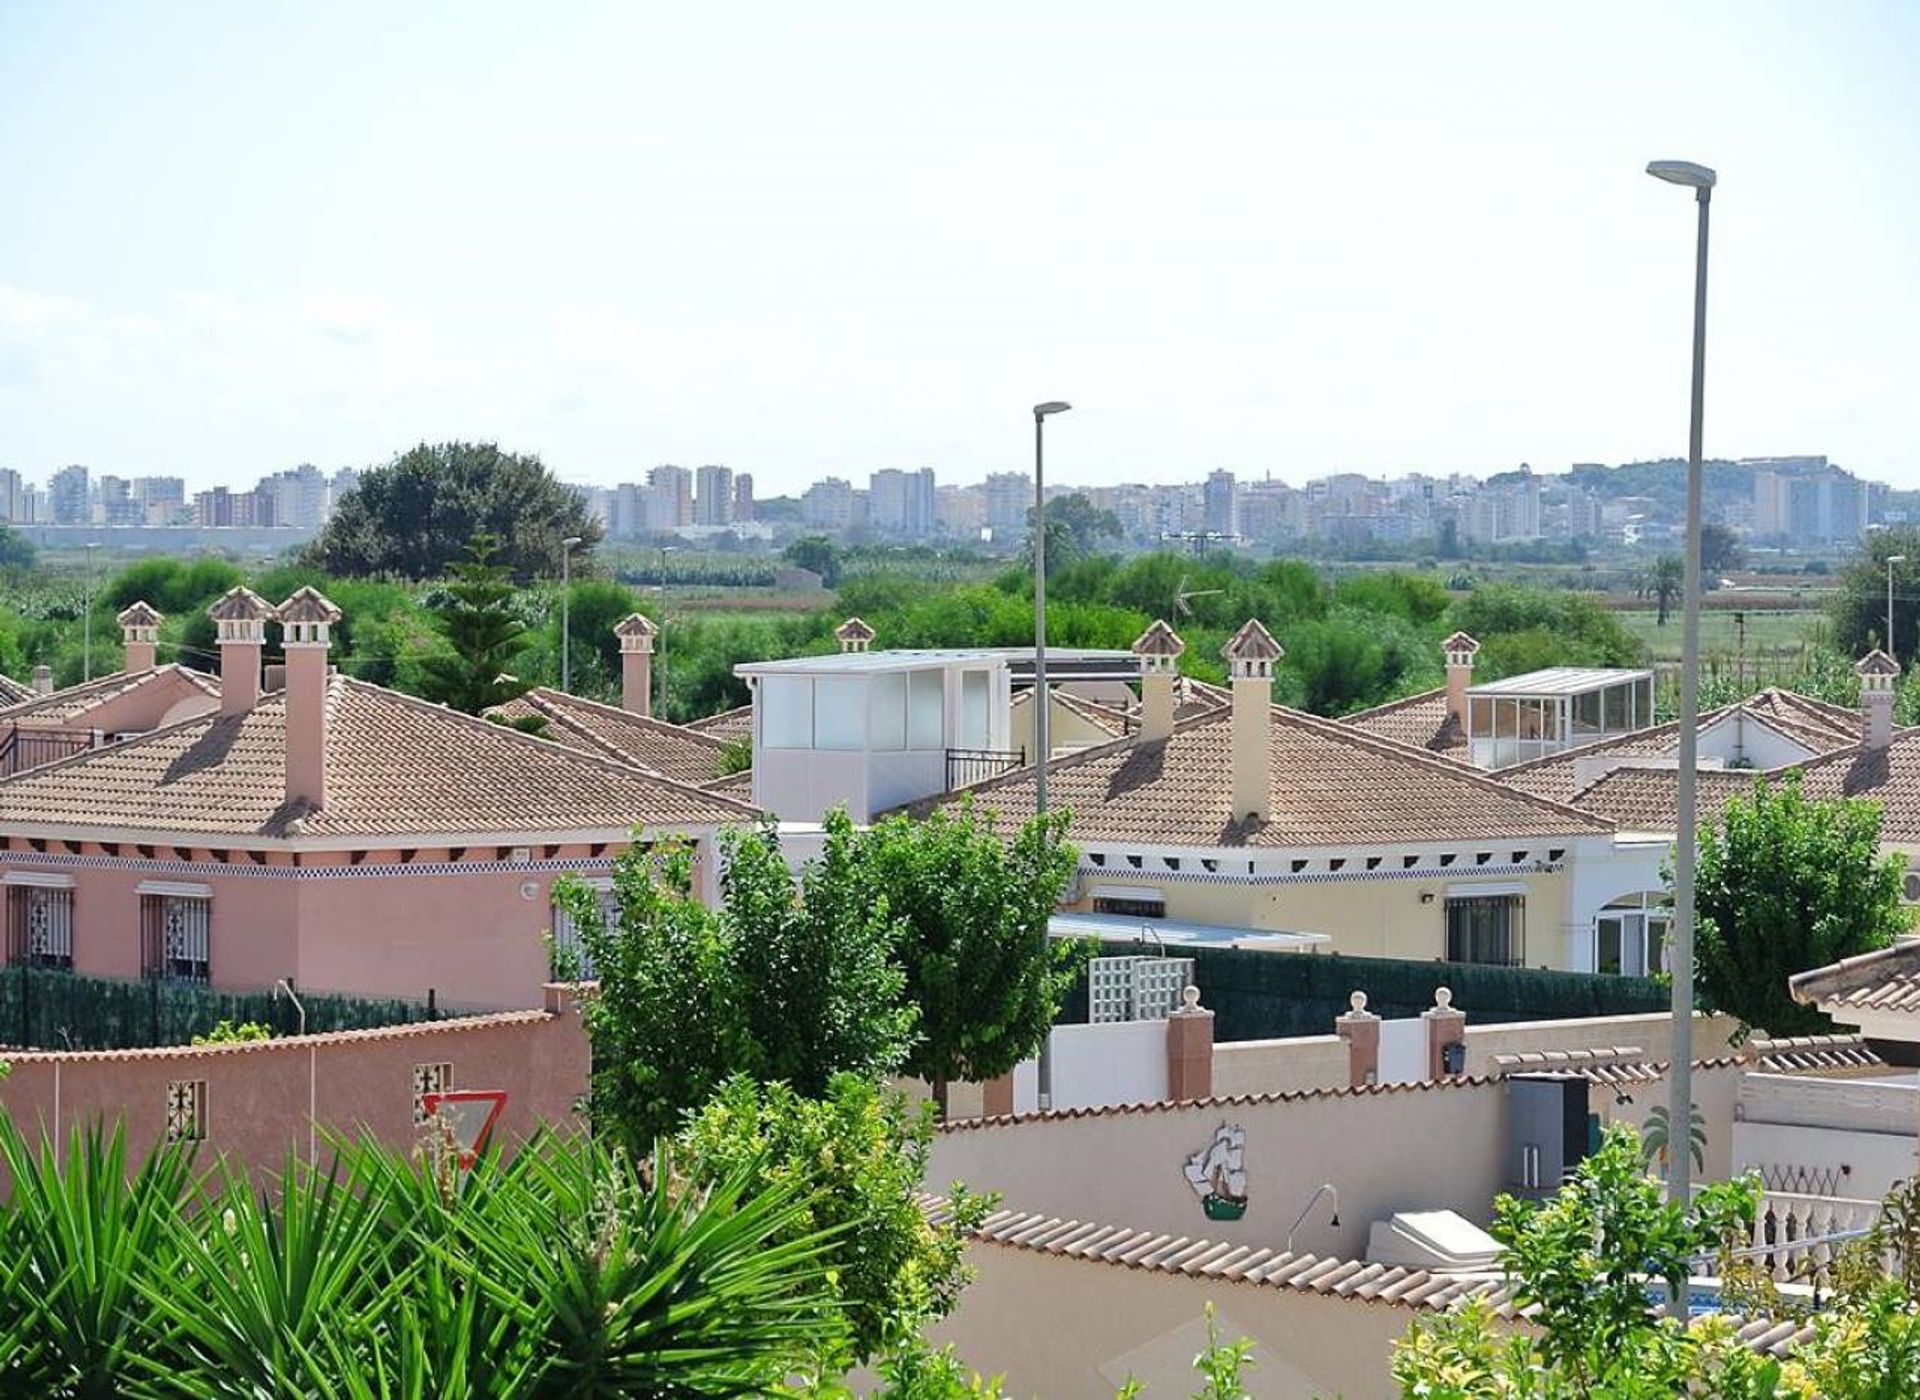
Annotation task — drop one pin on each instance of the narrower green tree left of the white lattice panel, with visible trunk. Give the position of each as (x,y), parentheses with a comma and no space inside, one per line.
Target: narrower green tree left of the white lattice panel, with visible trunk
(980,969)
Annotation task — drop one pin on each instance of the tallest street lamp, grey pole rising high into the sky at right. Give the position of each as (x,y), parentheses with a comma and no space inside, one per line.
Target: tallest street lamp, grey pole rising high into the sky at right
(1681,957)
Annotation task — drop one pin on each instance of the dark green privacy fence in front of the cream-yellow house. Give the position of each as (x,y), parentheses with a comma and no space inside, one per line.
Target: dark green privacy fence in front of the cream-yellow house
(1262,996)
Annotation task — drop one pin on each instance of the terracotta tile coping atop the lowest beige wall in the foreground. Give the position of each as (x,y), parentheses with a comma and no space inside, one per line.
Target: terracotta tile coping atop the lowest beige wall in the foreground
(1270,1268)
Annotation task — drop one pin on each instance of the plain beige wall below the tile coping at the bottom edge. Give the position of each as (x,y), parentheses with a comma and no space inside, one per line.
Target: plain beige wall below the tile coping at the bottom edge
(1072,1330)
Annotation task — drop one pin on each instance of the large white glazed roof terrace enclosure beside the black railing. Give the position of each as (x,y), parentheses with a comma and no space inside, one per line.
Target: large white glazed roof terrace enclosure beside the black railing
(882,729)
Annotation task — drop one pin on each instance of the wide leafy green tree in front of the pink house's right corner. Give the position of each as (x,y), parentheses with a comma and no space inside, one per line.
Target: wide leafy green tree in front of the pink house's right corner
(788,980)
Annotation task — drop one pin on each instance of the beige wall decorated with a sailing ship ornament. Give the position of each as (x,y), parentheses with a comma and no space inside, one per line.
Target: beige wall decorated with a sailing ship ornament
(1403,1149)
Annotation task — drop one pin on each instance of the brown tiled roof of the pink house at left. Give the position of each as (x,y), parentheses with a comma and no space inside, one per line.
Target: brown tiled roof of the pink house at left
(395,767)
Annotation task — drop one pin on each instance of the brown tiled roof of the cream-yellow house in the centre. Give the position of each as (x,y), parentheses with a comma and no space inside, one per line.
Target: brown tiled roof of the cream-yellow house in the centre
(1332,786)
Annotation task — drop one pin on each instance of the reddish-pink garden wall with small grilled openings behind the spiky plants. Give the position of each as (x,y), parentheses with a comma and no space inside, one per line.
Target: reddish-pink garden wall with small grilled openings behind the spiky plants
(258,1096)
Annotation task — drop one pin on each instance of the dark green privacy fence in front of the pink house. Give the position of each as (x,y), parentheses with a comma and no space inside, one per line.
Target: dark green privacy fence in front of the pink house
(43,1009)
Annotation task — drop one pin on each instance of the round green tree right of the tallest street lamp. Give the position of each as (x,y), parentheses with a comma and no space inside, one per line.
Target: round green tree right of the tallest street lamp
(1787,884)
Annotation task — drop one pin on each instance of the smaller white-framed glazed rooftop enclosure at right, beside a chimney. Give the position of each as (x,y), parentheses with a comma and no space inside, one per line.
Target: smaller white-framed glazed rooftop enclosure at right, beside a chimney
(1545,712)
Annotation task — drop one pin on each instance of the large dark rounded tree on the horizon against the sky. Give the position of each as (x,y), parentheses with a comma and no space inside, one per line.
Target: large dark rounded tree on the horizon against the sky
(416,516)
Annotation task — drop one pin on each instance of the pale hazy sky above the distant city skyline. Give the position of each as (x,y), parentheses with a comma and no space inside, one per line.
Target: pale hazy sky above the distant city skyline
(830,239)
